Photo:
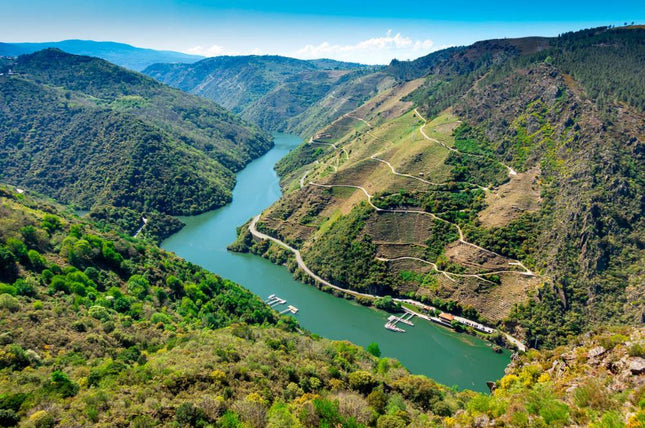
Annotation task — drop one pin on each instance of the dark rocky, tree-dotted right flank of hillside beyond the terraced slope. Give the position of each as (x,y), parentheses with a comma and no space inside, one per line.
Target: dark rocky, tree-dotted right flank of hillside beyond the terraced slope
(578,116)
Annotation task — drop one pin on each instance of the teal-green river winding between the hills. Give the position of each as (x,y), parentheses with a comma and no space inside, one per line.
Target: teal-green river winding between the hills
(437,352)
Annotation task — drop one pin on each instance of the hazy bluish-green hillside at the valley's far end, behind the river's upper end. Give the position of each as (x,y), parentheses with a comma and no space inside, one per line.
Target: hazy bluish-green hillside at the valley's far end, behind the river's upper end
(266,90)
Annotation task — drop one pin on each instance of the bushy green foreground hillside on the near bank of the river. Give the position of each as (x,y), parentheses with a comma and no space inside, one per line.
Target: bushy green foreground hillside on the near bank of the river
(101,329)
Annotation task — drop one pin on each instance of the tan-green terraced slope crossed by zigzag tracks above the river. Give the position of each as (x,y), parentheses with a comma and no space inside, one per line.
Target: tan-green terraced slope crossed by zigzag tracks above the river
(377,156)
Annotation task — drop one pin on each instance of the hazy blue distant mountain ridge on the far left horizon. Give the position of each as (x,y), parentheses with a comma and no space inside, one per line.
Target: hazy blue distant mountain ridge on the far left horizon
(121,54)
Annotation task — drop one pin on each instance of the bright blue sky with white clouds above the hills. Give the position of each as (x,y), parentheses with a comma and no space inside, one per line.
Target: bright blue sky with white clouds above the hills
(365,31)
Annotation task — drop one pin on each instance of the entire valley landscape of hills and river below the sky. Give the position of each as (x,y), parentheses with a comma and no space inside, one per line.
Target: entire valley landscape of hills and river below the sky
(169,258)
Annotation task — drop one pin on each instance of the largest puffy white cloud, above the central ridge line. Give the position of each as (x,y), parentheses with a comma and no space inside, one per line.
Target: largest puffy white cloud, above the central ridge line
(377,50)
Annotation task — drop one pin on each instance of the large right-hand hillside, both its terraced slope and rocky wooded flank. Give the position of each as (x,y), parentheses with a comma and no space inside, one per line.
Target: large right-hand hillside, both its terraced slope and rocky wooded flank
(513,192)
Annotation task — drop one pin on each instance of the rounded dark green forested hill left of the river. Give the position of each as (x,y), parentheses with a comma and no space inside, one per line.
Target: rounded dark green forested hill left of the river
(90,133)
